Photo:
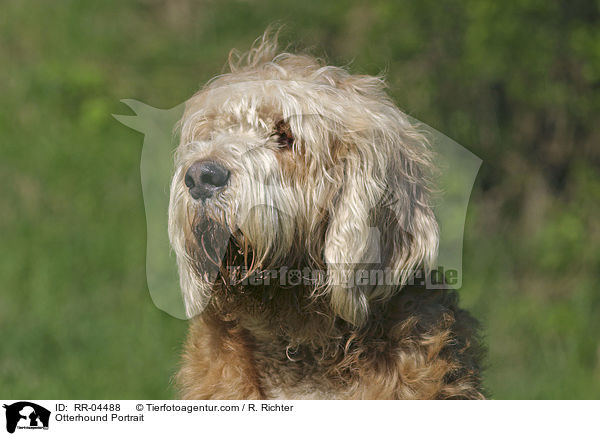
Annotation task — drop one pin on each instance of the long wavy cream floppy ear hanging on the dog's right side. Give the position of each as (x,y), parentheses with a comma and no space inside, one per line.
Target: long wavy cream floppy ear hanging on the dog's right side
(381,226)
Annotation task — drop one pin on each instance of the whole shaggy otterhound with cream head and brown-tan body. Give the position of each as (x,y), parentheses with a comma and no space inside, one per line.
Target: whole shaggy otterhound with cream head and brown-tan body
(293,182)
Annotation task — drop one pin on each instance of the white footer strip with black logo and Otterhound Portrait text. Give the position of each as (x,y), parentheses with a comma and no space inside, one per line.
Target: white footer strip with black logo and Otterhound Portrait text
(45,418)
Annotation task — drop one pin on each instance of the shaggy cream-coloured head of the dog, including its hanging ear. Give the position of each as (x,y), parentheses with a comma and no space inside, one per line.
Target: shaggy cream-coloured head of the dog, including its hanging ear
(287,163)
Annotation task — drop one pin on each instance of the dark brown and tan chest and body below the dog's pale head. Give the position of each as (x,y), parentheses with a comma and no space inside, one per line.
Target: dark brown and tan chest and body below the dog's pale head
(252,344)
